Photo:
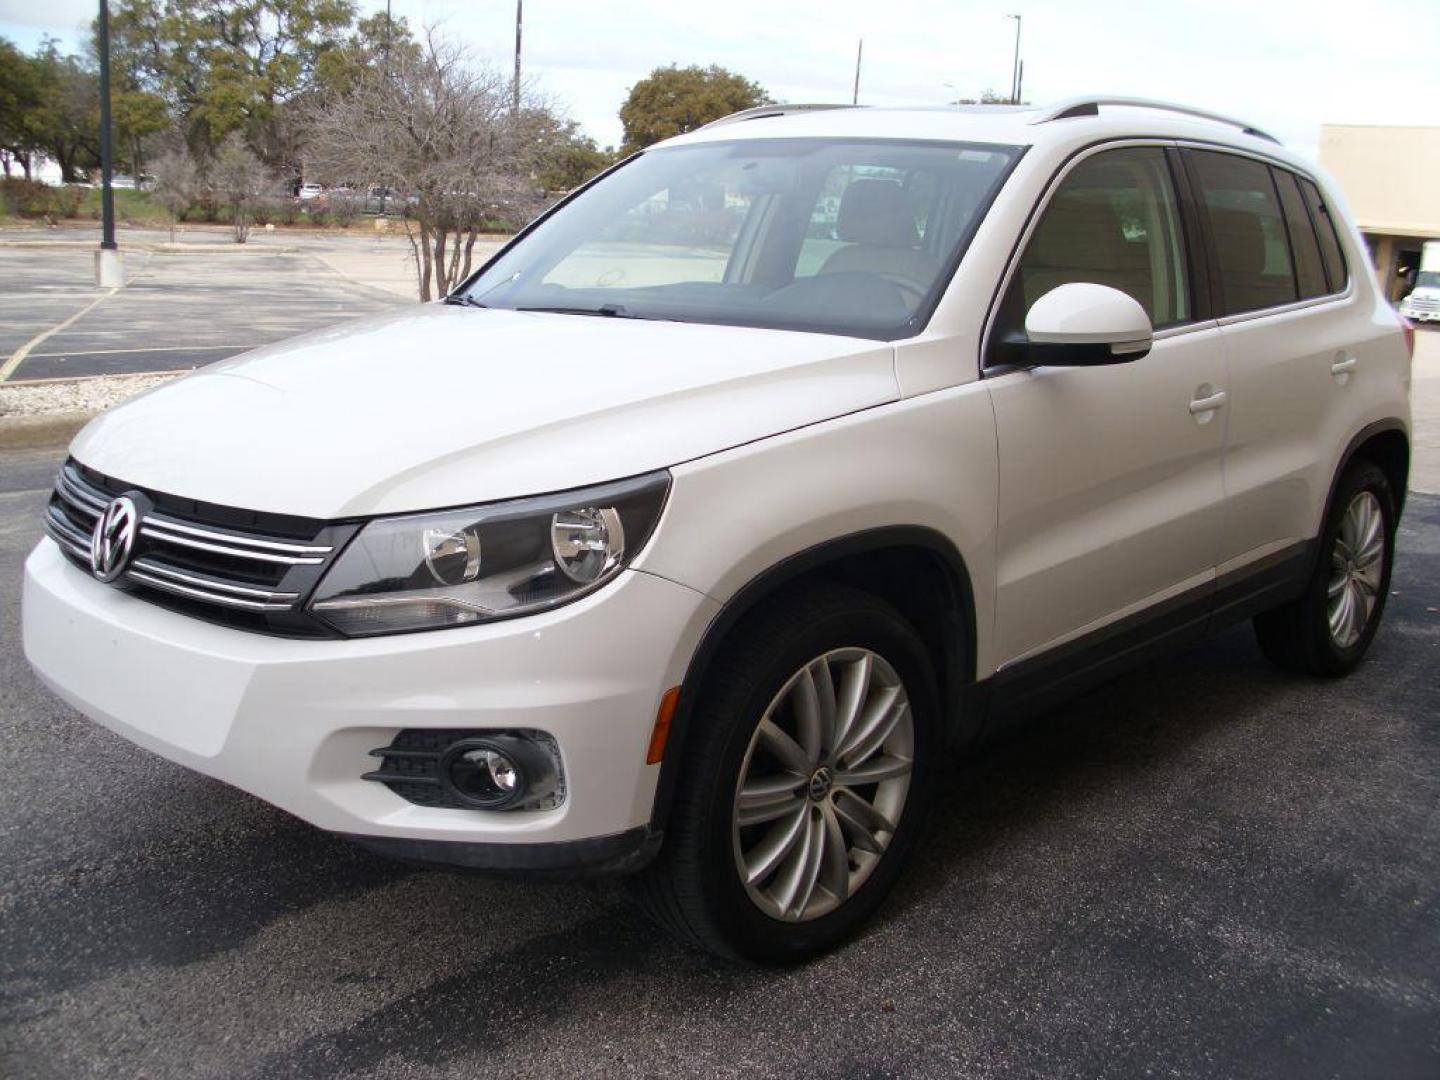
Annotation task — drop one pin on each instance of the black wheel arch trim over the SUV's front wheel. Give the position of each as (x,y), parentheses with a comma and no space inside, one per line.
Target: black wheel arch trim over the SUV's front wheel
(917,570)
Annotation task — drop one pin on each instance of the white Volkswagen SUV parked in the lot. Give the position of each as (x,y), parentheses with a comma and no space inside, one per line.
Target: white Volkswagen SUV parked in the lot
(689,534)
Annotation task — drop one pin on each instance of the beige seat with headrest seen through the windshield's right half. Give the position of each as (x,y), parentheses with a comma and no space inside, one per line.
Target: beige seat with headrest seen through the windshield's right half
(879,230)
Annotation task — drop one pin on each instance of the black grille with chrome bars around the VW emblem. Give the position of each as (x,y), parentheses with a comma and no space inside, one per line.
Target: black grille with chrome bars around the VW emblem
(204,568)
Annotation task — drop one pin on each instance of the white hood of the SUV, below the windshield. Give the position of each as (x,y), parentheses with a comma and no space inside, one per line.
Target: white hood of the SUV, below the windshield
(447,405)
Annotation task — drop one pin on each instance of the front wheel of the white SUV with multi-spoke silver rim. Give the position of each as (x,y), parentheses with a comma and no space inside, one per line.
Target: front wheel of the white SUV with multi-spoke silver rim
(804,783)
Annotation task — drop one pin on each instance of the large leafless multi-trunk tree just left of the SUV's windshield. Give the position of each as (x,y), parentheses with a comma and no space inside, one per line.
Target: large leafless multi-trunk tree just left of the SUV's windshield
(440,129)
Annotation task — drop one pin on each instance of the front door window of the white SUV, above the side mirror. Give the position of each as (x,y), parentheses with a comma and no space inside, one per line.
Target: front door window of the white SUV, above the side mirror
(1114,221)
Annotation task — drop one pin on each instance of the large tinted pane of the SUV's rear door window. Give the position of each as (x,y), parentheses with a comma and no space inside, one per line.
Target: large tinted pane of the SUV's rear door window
(1245,221)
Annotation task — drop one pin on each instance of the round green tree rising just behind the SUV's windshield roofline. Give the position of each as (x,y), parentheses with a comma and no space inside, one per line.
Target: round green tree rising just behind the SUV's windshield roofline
(672,102)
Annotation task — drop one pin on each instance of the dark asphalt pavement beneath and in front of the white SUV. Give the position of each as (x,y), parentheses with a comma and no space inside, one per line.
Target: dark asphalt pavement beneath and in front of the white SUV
(1203,869)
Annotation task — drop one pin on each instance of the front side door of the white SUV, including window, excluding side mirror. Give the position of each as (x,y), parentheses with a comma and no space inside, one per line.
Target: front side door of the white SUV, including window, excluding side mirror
(1111,495)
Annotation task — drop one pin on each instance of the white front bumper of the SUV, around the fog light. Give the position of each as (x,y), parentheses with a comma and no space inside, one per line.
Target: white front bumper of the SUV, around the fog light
(293,722)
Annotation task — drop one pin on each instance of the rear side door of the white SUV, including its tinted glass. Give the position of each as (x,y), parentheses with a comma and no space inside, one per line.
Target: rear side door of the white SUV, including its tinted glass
(1290,339)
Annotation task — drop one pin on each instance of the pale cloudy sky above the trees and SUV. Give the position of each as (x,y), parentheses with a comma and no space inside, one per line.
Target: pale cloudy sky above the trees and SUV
(1282,66)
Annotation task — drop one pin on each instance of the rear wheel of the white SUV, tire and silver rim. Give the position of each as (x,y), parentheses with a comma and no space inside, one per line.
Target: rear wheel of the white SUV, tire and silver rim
(1330,627)
